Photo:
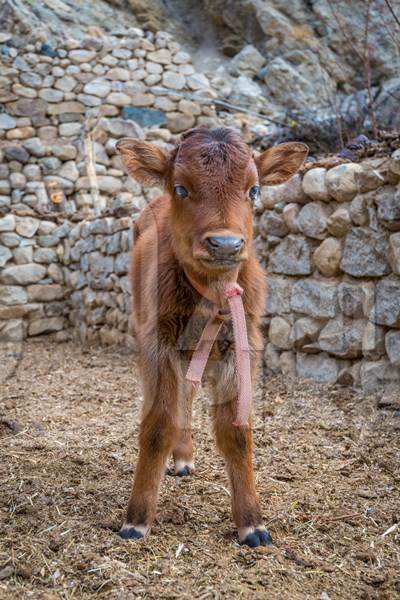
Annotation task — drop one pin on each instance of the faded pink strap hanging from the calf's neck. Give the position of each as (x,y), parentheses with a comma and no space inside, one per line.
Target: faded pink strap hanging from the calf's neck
(233,294)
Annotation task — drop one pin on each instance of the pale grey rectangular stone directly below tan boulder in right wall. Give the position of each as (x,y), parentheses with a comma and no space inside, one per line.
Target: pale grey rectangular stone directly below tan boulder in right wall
(314,298)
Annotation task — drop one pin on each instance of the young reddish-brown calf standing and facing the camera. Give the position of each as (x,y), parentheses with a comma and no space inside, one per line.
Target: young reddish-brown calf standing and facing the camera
(201,230)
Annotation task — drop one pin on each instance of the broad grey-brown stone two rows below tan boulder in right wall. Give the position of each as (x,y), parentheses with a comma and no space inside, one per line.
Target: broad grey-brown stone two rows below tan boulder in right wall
(343,337)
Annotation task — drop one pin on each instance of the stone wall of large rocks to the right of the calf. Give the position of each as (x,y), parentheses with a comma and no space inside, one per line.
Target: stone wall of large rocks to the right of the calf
(331,245)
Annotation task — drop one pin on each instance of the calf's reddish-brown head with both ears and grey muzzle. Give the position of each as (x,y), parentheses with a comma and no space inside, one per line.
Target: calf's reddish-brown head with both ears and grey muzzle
(213,181)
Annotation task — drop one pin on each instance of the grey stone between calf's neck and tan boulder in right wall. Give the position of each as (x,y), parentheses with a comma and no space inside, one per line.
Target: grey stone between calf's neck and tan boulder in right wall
(291,257)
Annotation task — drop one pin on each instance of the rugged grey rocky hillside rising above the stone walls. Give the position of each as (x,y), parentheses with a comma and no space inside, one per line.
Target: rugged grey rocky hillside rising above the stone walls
(323,70)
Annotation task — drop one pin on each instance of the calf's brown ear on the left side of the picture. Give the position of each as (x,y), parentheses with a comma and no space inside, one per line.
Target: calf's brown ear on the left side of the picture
(145,162)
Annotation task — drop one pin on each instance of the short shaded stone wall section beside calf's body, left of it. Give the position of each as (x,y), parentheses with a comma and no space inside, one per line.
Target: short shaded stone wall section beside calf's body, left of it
(97,255)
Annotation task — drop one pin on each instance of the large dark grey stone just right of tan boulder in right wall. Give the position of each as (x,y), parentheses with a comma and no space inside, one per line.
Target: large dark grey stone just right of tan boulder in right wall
(365,253)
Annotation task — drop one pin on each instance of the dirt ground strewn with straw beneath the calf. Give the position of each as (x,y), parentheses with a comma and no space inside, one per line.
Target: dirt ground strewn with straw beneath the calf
(327,469)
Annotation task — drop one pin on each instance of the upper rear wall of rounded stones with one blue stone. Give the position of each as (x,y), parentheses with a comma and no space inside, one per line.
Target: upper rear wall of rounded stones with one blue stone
(130,84)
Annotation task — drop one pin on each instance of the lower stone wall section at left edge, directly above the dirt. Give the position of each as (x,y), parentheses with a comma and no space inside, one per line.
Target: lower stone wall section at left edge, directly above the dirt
(31,278)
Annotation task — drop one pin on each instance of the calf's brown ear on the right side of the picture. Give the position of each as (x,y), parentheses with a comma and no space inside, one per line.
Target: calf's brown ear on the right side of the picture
(279,163)
